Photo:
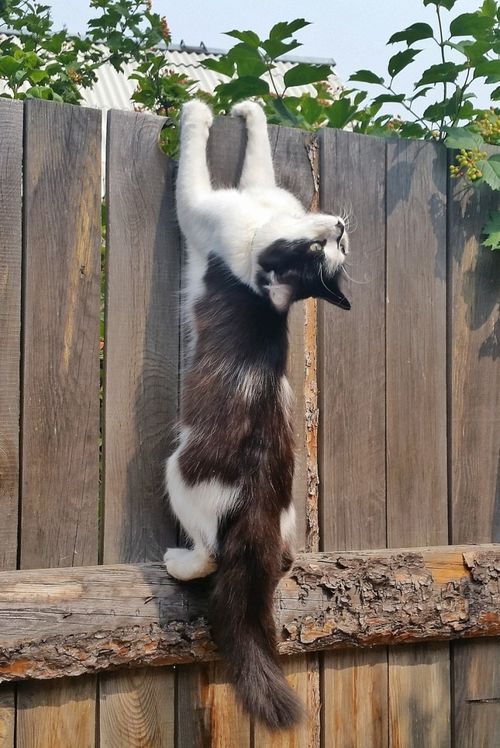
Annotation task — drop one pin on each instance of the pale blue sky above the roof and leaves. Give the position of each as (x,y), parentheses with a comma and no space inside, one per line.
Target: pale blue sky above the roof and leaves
(352,32)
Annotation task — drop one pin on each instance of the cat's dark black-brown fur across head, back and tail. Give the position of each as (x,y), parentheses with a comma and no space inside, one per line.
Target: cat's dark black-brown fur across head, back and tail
(245,438)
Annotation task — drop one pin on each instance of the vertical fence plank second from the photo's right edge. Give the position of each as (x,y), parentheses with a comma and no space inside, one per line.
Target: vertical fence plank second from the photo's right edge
(416,414)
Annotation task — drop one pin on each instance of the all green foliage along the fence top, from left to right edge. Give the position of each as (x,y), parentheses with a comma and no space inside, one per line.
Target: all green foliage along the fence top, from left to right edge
(43,62)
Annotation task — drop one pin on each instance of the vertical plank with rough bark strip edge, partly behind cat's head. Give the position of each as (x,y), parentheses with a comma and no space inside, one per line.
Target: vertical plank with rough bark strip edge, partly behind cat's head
(296,170)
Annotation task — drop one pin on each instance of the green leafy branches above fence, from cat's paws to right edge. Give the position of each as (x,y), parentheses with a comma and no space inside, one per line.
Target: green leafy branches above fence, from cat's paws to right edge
(440,107)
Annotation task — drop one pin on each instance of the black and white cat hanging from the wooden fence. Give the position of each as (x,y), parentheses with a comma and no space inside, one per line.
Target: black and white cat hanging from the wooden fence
(251,252)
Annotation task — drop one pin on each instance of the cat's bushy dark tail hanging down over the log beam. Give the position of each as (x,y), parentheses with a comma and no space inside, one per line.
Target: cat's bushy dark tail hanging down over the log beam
(242,618)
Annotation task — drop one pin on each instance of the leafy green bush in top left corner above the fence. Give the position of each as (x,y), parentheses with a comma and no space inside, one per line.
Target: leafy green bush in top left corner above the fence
(38,61)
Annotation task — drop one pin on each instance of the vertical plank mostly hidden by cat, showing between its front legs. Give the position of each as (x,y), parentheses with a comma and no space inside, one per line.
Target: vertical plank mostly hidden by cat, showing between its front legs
(207,711)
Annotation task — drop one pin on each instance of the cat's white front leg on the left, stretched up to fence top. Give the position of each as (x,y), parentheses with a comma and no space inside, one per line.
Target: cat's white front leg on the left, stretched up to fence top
(193,176)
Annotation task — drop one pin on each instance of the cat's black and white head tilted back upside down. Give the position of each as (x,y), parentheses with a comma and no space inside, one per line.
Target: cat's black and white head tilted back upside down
(300,258)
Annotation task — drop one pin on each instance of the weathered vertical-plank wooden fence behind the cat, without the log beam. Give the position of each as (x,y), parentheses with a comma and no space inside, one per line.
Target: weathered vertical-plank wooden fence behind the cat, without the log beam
(406,446)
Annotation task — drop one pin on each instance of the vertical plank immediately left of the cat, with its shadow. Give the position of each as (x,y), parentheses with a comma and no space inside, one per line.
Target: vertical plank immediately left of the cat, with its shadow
(141,397)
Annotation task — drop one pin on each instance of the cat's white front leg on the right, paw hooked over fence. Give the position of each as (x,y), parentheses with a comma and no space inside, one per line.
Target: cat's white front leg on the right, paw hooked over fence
(258,170)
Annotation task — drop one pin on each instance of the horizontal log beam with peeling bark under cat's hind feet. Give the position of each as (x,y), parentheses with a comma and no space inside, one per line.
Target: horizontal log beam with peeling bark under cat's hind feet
(65,622)
